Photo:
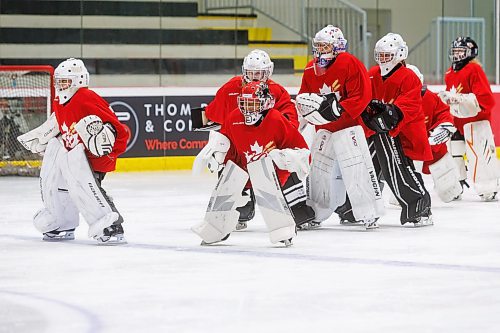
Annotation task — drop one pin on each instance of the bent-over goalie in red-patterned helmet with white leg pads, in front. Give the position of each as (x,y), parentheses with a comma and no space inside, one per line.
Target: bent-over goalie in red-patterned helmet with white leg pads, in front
(253,137)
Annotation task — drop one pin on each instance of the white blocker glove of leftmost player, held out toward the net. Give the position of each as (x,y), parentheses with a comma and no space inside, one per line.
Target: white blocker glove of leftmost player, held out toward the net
(37,139)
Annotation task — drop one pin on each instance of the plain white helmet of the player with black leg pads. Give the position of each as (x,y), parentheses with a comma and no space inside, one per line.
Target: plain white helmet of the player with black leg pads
(390,50)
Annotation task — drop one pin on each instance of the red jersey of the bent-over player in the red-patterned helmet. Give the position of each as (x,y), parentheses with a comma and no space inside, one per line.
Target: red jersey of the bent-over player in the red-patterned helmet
(249,142)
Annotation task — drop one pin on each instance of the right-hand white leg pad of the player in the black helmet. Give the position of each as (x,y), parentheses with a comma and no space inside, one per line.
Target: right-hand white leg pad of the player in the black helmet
(481,155)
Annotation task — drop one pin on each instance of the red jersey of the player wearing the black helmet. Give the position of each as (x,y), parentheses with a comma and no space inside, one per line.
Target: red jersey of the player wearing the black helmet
(471,79)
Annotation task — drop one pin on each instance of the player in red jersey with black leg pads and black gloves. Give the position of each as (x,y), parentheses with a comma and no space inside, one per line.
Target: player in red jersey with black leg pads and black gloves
(398,127)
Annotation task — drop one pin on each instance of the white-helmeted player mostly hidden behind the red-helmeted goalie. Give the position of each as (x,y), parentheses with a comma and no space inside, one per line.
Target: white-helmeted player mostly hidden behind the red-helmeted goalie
(257,66)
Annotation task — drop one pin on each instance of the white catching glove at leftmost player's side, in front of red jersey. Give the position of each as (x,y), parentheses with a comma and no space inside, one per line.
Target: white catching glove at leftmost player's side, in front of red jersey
(98,137)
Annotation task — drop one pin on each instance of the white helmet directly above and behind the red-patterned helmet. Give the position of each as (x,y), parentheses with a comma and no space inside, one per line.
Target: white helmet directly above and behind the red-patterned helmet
(257,66)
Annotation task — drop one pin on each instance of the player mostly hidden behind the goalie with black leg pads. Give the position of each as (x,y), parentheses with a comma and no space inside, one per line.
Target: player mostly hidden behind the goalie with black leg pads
(439,124)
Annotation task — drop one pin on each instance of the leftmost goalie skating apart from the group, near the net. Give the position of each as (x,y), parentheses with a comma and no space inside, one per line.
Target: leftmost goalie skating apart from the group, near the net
(80,142)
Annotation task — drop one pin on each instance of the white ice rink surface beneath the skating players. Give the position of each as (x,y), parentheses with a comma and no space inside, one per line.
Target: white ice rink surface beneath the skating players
(444,278)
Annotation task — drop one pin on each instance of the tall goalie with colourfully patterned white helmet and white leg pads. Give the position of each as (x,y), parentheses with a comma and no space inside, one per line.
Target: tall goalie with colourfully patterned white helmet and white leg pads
(335,90)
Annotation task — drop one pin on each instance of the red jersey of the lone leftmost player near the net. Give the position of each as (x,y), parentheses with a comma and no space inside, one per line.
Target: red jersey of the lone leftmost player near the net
(83,103)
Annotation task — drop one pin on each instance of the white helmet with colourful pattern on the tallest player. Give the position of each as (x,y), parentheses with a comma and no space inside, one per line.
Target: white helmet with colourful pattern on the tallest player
(326,45)
